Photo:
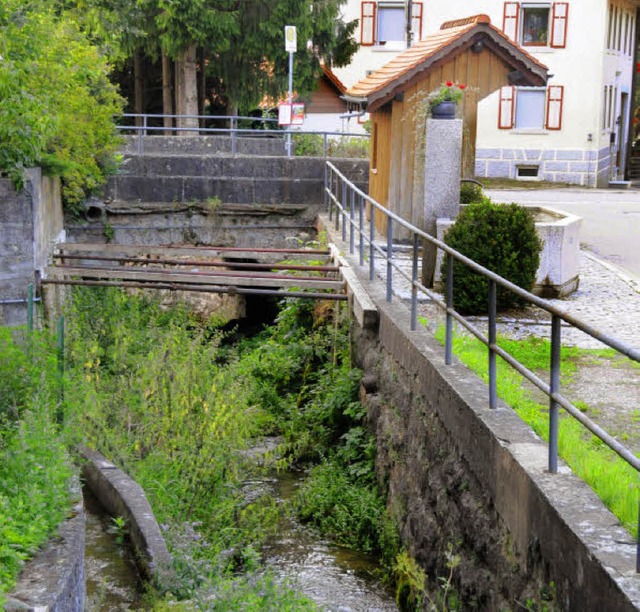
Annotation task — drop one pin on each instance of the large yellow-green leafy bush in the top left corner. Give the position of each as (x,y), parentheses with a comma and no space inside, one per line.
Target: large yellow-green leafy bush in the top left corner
(58,102)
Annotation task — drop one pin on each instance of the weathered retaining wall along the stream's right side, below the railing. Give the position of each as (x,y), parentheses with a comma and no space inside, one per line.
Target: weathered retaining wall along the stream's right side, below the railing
(473,482)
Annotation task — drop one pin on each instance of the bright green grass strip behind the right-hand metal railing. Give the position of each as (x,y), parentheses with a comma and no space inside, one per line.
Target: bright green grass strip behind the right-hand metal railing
(612,478)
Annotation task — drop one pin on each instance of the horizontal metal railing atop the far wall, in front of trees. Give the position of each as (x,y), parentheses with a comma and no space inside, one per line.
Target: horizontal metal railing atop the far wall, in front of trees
(224,125)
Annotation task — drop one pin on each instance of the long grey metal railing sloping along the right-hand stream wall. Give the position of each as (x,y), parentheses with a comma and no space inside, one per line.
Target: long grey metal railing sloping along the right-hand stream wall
(347,206)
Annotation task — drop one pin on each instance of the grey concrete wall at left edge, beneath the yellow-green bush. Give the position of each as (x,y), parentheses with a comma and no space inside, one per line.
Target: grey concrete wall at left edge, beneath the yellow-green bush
(30,221)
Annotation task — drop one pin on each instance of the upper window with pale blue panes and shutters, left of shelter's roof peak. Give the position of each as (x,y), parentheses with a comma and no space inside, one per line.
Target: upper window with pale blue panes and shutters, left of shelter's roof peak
(383,22)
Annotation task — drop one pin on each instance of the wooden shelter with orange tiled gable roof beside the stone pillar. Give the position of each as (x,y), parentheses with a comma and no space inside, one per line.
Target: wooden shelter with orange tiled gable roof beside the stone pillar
(467,51)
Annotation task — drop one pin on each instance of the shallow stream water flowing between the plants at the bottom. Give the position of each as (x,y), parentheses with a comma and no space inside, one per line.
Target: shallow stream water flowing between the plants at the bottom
(336,578)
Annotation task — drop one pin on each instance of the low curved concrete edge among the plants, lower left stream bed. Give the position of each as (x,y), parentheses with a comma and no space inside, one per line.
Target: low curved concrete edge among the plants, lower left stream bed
(121,496)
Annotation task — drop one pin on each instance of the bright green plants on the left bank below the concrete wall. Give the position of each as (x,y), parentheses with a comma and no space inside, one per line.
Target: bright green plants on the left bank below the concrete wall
(35,468)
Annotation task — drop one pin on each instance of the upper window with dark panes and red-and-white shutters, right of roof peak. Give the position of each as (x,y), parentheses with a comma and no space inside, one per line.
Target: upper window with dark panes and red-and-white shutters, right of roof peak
(536,24)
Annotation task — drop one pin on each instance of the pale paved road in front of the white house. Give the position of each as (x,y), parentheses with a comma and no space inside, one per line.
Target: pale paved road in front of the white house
(611,219)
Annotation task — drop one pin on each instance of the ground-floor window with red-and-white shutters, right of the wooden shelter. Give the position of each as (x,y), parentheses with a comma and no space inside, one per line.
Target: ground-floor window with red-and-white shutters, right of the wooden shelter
(531,108)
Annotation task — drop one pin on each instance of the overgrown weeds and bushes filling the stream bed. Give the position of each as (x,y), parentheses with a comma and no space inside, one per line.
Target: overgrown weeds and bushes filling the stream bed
(162,395)
